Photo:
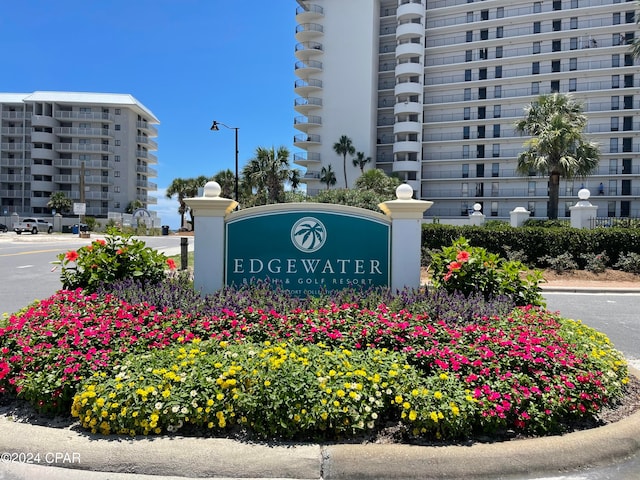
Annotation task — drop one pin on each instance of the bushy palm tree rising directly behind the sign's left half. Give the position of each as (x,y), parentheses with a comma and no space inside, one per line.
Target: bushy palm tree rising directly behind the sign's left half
(267,173)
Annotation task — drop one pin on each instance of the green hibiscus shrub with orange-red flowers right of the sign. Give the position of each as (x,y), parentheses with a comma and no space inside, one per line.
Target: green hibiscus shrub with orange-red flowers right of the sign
(466,269)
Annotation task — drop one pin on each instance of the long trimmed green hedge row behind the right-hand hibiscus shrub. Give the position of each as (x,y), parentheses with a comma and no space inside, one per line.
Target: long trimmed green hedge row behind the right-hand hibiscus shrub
(537,242)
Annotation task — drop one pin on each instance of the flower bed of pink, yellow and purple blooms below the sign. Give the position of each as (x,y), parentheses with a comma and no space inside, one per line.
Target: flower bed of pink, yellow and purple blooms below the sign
(327,367)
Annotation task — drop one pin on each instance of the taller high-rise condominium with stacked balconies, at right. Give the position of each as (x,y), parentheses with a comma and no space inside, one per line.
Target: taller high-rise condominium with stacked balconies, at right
(431,90)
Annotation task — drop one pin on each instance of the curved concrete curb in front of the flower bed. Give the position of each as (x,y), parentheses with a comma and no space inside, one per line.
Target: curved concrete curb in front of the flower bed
(28,451)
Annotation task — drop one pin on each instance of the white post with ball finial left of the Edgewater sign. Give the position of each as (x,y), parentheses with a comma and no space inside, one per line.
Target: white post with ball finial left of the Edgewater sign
(210,211)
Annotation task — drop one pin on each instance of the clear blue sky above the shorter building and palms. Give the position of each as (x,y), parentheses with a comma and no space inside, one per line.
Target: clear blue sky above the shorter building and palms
(188,61)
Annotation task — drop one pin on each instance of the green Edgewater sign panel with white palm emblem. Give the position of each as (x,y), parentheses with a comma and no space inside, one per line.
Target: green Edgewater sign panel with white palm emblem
(308,251)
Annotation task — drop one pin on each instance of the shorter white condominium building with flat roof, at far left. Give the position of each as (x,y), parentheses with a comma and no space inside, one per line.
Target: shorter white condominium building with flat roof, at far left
(47,139)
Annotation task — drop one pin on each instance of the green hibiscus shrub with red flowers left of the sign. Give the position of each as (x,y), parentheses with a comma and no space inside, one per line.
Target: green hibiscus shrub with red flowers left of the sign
(117,257)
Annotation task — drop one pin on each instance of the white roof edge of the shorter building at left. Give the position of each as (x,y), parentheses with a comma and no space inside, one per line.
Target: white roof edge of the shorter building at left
(122,99)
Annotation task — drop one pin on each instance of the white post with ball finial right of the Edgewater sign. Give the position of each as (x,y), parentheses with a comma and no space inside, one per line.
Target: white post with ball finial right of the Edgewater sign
(406,236)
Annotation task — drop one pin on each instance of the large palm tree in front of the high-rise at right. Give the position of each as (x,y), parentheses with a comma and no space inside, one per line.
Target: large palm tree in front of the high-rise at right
(557,147)
